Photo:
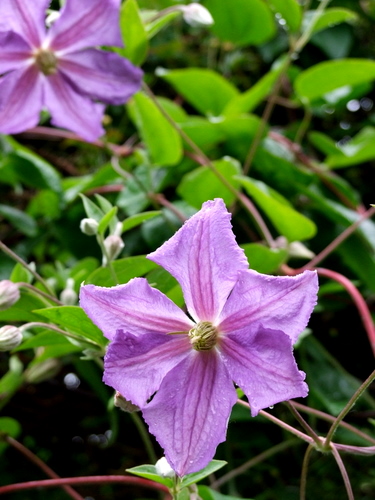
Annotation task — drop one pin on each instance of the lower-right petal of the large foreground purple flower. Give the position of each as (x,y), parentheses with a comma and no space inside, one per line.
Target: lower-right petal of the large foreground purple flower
(263,366)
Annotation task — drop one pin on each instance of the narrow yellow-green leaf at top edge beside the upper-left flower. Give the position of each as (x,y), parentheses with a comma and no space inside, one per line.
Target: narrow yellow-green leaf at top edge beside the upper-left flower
(133,33)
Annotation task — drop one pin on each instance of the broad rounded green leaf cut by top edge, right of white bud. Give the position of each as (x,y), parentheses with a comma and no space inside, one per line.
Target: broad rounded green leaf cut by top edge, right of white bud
(241,22)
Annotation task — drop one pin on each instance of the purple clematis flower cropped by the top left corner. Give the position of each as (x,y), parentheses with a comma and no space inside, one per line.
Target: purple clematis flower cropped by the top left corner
(60,69)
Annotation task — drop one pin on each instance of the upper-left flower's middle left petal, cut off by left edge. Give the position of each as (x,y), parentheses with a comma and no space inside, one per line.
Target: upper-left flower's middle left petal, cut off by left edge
(14,51)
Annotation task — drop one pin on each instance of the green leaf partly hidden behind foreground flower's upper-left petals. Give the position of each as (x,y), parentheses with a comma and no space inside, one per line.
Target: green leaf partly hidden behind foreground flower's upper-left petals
(125,269)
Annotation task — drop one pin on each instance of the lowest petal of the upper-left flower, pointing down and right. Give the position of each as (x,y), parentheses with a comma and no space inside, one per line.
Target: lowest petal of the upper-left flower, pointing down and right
(72,110)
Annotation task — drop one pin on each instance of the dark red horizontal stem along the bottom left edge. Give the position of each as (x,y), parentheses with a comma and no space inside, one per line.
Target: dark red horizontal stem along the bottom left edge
(50,483)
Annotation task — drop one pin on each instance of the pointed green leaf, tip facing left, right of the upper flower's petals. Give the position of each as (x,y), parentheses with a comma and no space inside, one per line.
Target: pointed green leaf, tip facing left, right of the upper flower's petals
(204,89)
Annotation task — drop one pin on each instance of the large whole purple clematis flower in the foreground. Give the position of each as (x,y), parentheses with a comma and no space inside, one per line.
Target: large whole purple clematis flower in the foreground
(241,329)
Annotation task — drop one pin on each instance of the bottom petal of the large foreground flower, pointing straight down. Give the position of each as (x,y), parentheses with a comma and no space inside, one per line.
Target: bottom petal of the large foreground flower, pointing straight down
(190,412)
